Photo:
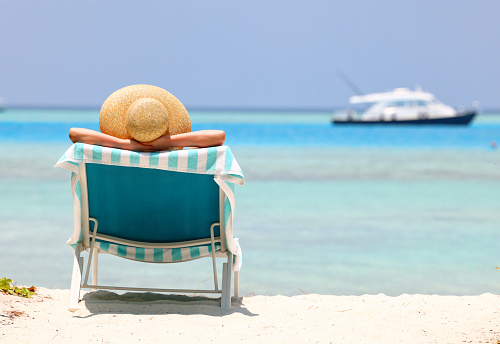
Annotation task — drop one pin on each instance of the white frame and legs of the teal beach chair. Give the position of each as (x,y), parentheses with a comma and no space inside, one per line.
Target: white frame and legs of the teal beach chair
(89,240)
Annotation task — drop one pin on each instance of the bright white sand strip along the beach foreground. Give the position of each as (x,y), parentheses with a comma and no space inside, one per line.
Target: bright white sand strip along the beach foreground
(152,318)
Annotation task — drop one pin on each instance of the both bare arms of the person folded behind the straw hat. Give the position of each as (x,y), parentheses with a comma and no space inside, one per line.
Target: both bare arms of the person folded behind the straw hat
(199,139)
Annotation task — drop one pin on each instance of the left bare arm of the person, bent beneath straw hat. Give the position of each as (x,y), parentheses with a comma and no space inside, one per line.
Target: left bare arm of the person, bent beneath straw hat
(96,138)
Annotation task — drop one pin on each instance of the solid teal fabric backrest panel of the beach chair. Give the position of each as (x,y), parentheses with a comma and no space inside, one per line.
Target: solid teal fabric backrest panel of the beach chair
(151,205)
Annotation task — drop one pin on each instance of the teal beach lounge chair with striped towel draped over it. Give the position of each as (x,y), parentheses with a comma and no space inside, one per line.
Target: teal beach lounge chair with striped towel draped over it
(161,207)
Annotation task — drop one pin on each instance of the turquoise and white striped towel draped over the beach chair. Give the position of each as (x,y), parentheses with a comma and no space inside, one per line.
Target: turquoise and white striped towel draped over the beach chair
(216,161)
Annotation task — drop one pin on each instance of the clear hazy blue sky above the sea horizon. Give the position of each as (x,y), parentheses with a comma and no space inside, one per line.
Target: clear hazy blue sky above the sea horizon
(242,54)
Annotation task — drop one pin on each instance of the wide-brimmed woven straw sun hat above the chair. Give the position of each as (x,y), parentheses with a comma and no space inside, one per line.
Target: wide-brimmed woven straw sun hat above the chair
(143,113)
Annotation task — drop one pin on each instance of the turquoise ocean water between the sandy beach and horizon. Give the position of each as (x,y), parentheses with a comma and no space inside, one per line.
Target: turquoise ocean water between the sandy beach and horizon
(325,209)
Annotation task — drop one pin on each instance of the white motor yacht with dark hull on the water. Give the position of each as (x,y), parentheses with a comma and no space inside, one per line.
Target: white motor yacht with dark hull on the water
(403,106)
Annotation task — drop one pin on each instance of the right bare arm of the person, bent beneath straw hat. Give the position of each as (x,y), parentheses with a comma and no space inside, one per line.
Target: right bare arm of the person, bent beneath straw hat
(200,139)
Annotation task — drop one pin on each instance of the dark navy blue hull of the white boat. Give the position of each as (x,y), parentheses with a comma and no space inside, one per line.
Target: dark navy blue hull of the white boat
(461,119)
